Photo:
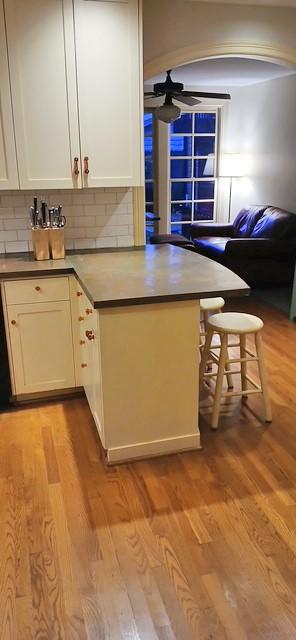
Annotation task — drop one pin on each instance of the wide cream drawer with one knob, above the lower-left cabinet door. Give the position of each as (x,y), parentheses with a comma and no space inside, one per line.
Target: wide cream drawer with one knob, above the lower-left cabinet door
(36,290)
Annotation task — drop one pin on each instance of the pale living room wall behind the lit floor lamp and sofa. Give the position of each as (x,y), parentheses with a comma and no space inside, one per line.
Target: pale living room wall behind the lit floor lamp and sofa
(260,122)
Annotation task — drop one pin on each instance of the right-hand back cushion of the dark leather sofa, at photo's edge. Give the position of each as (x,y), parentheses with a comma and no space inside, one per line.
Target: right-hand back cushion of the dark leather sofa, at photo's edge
(275,223)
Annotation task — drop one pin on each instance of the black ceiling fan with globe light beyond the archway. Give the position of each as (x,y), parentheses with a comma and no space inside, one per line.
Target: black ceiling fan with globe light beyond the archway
(169,112)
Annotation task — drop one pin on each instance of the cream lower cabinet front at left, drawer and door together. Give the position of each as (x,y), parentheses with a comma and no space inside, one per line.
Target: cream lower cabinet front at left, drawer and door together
(39,335)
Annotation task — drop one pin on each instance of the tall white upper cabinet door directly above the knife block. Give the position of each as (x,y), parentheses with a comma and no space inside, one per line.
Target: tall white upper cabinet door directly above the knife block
(41,56)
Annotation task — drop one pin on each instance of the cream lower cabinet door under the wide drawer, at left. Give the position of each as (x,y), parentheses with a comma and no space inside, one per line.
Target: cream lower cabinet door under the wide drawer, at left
(41,346)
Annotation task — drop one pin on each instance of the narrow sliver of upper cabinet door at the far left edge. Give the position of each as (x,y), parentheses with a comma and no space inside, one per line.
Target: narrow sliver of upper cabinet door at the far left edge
(8,164)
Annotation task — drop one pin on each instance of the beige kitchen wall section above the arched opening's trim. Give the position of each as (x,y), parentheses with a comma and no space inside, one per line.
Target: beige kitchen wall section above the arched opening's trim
(170,25)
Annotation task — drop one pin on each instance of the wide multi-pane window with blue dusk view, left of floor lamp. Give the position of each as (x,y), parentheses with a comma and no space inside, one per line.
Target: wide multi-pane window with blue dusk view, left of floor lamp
(193,150)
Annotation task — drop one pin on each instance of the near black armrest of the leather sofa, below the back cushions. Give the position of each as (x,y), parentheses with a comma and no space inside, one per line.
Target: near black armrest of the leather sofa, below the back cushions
(259,248)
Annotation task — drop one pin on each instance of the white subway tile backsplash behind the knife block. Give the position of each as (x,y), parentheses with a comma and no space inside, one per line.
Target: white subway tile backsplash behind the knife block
(96,218)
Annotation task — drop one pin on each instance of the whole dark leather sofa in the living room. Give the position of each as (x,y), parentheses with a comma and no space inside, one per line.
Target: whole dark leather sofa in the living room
(260,244)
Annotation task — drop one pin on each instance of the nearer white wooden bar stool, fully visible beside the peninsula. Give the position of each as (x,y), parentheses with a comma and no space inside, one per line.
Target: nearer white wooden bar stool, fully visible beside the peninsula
(239,324)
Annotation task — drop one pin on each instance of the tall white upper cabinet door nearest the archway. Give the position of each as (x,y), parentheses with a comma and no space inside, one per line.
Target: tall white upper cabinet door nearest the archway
(109,92)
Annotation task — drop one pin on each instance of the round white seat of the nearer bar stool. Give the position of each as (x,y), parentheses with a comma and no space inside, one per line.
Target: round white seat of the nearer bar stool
(236,323)
